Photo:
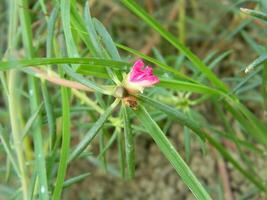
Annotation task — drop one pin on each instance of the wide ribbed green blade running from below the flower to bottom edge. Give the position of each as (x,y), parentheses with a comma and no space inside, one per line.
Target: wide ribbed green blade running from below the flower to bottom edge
(171,154)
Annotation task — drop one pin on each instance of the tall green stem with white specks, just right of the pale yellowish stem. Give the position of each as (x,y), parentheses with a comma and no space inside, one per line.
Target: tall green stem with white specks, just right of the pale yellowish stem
(34,100)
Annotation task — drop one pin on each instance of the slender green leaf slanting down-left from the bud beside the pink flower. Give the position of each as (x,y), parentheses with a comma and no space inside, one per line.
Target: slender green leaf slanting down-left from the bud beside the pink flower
(89,136)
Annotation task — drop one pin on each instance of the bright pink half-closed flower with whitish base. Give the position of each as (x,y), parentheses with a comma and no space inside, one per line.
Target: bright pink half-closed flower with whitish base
(140,77)
